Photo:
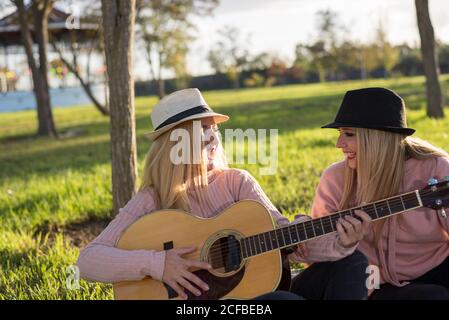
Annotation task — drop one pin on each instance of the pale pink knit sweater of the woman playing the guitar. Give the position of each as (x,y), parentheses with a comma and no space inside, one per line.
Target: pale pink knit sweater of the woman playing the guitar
(101,261)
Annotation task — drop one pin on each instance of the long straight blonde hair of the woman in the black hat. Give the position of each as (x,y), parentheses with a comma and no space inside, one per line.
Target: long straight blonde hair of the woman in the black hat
(380,169)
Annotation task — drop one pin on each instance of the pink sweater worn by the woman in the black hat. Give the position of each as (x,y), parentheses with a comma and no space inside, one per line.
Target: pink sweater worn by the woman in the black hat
(412,243)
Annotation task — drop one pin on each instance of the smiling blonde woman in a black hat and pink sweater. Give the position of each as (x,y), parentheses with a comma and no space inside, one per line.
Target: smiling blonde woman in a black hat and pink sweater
(382,160)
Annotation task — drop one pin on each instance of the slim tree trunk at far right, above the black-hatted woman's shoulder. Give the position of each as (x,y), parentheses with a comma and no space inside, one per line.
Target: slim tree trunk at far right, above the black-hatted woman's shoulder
(430,60)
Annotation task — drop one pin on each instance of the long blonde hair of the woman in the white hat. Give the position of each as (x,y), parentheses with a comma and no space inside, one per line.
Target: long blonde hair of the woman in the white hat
(173,181)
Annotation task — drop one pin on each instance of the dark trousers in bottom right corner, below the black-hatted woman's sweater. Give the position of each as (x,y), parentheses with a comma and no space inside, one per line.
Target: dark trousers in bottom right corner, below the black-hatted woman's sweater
(434,285)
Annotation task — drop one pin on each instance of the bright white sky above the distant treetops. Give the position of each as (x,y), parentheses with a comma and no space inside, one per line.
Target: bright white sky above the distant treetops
(278,25)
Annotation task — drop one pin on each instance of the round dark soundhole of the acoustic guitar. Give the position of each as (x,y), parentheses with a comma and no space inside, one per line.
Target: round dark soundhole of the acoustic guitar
(225,255)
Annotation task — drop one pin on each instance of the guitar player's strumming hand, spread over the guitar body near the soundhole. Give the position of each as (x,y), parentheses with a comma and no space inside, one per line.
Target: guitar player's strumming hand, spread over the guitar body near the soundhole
(177,274)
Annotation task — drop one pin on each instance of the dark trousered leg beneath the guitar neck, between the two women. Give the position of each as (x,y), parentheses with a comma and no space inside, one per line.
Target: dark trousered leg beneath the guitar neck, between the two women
(344,279)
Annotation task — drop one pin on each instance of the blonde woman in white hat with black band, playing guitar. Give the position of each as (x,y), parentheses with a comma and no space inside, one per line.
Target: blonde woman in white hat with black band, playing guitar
(204,188)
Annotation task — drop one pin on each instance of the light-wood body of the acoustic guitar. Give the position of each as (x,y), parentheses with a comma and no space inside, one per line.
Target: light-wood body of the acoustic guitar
(215,238)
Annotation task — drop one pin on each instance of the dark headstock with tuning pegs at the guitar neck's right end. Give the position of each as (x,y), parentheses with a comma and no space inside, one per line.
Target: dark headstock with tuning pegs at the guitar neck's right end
(436,194)
